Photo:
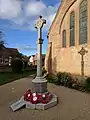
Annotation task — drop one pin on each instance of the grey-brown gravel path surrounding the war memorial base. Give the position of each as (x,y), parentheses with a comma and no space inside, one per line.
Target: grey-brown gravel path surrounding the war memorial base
(73,105)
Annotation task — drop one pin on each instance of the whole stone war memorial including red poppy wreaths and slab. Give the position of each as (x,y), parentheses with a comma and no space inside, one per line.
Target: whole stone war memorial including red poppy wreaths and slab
(39,97)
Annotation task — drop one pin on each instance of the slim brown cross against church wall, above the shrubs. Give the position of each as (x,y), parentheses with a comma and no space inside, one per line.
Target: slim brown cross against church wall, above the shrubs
(82,53)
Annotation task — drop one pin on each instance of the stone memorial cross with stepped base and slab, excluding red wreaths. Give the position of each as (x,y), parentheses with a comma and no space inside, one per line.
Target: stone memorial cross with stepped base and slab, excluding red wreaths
(39,84)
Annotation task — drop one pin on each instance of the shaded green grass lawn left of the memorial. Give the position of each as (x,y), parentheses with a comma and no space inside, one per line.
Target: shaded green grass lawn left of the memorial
(6,77)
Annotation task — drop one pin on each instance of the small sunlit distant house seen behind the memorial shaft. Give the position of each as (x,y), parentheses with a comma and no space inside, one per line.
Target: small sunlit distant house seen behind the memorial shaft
(33,60)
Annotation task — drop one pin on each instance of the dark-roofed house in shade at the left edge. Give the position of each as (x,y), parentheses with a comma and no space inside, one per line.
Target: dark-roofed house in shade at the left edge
(6,54)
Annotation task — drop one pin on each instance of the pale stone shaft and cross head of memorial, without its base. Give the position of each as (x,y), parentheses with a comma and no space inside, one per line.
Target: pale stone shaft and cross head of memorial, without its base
(39,26)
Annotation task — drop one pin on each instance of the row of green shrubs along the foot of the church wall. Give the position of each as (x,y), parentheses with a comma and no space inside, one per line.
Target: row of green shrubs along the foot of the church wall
(69,80)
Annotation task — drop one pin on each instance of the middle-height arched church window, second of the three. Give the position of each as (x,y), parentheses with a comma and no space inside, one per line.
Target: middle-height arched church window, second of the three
(72,28)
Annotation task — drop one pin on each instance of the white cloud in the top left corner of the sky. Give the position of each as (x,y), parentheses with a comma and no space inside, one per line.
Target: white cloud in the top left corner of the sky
(9,9)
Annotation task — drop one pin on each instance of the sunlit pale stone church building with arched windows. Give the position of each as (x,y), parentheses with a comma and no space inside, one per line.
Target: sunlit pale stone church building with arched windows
(69,32)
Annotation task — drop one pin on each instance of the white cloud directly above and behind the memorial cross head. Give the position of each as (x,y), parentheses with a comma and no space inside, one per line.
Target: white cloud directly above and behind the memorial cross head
(37,8)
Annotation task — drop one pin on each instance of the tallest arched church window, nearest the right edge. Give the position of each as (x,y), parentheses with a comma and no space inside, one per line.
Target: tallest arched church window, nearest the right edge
(83,22)
